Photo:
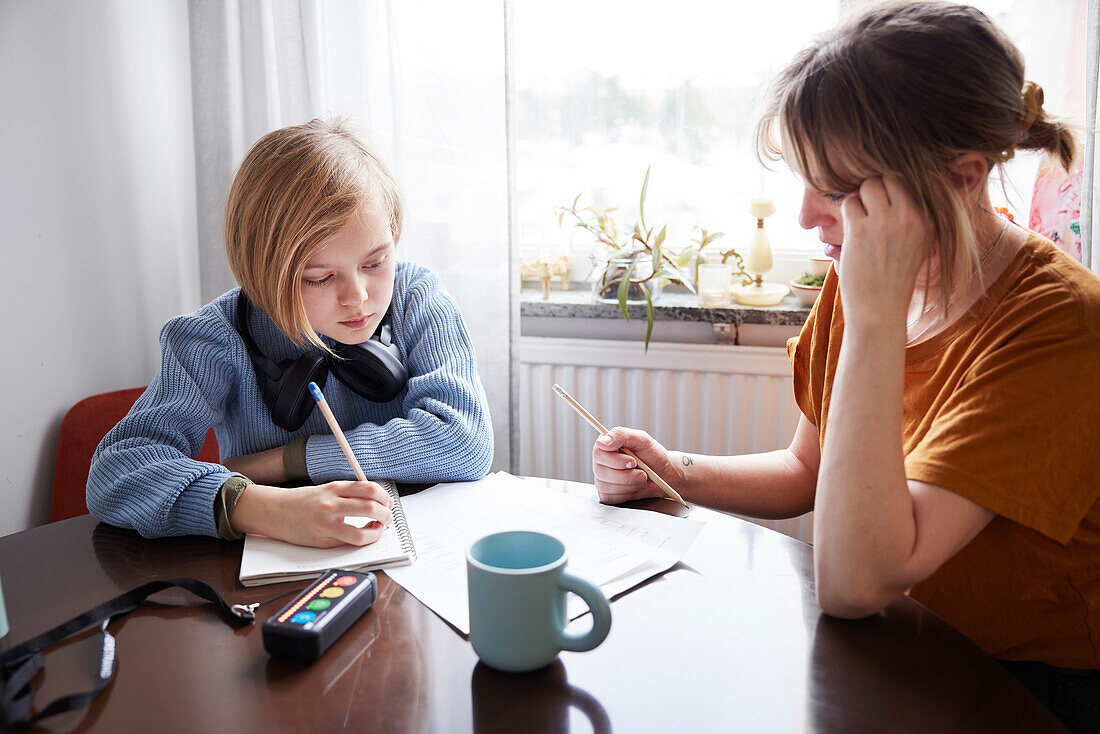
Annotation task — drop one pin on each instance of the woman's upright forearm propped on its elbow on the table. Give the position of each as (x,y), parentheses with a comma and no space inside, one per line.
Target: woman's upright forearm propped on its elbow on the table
(864,525)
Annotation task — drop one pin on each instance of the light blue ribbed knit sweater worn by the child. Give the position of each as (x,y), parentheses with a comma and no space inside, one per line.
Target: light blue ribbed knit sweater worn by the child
(144,475)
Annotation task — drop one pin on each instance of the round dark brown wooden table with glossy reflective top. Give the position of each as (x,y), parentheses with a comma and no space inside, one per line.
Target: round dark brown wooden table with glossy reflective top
(731,640)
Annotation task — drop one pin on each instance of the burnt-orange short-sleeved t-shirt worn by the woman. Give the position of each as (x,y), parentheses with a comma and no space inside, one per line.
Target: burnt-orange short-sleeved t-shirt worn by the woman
(1004,409)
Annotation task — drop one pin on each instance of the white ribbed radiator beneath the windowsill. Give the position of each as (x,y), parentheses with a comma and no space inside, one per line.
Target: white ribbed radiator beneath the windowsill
(705,399)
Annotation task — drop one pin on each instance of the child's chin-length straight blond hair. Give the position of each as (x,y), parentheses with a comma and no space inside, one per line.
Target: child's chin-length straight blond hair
(294,191)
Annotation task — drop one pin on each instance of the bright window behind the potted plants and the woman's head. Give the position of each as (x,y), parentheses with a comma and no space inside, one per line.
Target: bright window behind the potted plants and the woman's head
(603,91)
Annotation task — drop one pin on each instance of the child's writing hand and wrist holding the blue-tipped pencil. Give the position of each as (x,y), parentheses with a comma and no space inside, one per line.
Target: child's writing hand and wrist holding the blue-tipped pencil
(315,516)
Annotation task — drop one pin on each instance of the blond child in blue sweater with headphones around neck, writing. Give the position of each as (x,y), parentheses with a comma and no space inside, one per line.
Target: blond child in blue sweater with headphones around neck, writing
(312,227)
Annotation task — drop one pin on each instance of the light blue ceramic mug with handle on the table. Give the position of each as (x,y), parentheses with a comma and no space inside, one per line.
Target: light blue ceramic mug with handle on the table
(518,586)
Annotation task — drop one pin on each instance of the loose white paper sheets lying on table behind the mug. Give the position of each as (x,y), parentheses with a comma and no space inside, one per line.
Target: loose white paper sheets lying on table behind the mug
(609,546)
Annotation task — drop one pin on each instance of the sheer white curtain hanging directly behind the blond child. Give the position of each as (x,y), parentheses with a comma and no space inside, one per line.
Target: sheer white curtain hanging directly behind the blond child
(427,83)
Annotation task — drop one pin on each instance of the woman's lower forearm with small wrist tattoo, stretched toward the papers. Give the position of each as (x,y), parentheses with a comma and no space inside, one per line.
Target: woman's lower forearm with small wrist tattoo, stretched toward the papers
(774,486)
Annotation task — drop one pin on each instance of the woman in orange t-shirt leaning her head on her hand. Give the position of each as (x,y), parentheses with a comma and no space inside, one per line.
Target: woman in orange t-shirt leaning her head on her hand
(950,374)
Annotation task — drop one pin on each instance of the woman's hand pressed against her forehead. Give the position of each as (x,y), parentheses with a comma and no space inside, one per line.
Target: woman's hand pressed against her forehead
(886,240)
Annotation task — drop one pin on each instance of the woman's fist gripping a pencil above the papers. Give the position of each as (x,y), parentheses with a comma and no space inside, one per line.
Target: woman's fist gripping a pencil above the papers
(618,478)
